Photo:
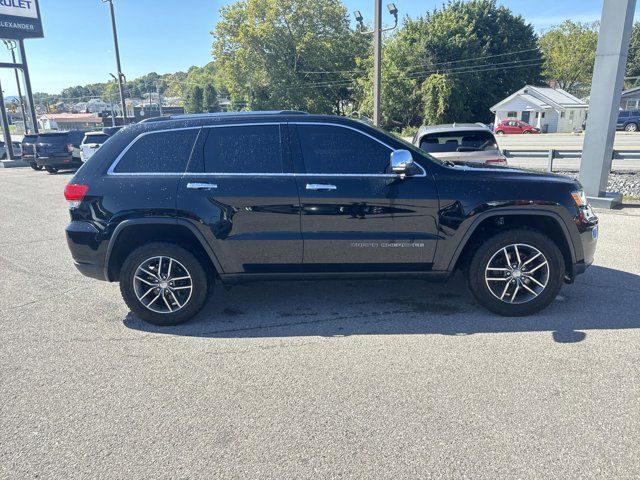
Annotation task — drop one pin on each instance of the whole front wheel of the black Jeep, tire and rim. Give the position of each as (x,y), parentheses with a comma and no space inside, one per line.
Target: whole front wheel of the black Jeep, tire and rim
(516,272)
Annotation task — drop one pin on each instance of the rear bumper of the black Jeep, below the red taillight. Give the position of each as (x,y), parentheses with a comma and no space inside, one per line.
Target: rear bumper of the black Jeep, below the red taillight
(86,249)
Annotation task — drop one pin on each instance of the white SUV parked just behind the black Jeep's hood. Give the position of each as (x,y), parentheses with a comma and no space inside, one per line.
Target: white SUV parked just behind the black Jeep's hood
(460,143)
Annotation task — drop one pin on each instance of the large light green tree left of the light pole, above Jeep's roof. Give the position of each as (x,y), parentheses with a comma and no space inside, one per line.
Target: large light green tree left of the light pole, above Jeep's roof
(287,54)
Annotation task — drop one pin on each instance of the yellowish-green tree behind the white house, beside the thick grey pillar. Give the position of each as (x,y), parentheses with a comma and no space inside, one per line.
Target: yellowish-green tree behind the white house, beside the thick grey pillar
(570,52)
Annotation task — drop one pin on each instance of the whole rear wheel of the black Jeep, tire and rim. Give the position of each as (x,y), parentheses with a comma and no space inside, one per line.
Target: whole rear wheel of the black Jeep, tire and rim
(163,284)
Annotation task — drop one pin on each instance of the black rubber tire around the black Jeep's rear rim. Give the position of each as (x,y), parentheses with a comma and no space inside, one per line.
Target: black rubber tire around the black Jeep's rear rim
(194,268)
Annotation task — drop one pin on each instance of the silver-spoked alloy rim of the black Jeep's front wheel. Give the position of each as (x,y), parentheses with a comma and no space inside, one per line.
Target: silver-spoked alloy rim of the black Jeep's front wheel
(517,274)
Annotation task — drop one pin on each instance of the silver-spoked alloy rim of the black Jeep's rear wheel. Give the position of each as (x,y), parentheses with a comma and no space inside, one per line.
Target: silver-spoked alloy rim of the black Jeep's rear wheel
(162,284)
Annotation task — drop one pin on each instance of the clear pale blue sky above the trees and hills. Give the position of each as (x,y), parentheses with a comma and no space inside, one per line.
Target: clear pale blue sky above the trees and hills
(171,35)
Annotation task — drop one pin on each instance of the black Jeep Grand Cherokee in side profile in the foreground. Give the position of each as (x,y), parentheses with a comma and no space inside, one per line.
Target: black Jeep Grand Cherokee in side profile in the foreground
(168,207)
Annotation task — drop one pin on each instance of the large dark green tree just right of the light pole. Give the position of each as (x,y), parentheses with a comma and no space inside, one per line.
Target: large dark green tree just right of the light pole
(454,63)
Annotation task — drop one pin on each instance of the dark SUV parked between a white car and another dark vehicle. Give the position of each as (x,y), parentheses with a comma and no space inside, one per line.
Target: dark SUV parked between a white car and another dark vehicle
(59,150)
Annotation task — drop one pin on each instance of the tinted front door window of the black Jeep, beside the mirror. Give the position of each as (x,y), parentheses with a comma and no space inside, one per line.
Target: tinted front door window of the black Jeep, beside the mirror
(328,149)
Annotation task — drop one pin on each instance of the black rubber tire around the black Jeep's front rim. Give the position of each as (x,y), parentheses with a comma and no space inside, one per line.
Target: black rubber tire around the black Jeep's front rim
(478,284)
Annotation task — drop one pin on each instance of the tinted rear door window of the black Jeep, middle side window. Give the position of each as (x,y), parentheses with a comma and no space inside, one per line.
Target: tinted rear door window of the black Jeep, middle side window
(248,149)
